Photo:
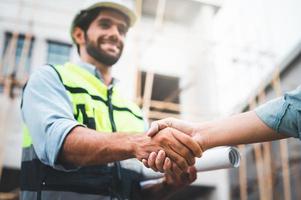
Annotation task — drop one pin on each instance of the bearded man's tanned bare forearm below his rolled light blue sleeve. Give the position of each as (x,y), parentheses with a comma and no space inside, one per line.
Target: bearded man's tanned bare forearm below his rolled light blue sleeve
(85,146)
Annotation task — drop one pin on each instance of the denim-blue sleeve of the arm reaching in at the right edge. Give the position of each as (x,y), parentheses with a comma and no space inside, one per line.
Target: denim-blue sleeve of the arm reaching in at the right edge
(283,114)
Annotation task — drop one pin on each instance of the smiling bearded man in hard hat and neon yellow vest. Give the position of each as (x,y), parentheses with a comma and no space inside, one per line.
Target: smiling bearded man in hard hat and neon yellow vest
(70,111)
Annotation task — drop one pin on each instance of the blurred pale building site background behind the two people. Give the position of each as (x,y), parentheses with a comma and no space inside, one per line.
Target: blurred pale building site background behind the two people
(192,59)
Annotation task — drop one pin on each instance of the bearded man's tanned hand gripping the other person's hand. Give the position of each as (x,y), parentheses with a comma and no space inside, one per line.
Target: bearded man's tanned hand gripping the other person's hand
(180,148)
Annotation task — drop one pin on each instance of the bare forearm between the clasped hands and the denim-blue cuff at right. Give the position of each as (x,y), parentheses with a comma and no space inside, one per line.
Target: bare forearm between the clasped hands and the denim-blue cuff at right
(239,129)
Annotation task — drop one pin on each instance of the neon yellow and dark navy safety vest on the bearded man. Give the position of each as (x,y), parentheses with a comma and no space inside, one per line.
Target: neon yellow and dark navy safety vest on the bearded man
(98,107)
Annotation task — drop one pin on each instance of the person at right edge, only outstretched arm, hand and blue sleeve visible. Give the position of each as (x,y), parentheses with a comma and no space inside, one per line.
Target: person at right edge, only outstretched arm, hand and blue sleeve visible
(277,119)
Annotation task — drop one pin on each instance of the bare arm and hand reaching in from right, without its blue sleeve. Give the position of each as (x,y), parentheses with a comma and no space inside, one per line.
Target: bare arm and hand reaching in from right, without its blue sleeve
(242,128)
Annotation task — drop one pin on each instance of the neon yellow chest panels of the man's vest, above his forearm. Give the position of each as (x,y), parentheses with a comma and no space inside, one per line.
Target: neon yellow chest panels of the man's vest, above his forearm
(90,95)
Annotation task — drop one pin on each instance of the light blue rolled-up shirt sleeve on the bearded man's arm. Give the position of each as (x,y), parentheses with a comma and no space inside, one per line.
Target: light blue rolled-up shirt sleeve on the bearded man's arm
(48,114)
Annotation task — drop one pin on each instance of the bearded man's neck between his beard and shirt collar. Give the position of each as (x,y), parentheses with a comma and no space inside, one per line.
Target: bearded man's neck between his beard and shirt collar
(103,69)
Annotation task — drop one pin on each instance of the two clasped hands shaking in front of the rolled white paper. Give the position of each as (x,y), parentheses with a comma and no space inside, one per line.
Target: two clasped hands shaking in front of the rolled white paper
(171,148)
